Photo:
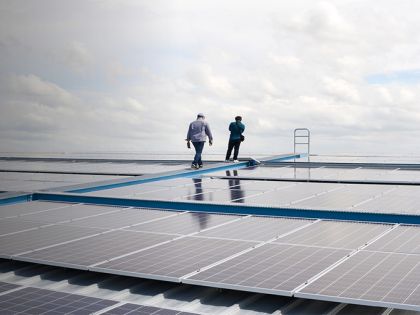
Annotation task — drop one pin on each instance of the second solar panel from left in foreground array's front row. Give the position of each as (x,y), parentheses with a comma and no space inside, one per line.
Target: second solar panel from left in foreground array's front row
(96,249)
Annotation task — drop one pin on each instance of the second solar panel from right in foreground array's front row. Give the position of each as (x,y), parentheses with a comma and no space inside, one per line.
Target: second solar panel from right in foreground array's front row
(271,268)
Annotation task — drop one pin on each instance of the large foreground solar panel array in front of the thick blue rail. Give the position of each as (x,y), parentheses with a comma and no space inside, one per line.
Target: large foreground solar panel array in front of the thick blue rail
(252,253)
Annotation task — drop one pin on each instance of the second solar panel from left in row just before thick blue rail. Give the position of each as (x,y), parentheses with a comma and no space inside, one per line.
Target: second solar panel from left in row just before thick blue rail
(70,213)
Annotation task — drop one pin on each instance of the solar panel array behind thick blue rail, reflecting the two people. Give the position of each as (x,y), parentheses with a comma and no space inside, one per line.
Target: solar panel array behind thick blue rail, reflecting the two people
(345,197)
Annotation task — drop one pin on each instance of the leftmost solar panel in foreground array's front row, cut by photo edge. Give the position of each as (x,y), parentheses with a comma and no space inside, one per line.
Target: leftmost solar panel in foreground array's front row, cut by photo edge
(14,244)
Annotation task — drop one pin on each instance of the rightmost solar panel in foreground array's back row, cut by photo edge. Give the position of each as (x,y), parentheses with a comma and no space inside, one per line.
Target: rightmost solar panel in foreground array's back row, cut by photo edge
(402,239)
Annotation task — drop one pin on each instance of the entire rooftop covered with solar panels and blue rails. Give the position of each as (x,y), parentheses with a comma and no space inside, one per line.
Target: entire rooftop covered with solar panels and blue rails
(143,232)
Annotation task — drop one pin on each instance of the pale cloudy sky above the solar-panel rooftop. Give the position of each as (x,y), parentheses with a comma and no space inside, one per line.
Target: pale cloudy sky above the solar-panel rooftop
(130,75)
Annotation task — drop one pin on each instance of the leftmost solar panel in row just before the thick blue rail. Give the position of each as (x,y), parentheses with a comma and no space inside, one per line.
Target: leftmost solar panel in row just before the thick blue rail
(29,207)
